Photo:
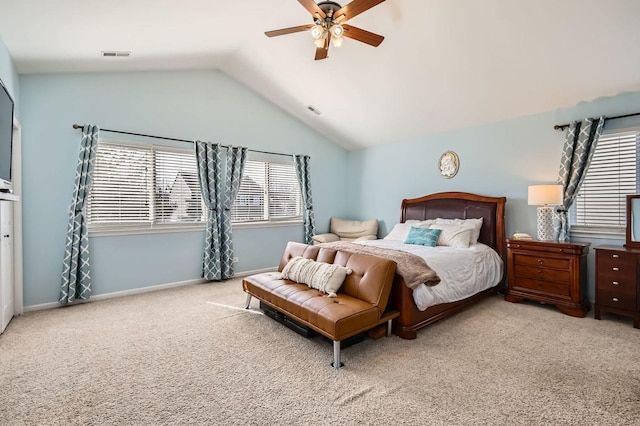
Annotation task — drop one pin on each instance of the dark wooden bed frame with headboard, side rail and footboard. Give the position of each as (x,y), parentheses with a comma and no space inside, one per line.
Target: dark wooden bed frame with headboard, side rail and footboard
(449,205)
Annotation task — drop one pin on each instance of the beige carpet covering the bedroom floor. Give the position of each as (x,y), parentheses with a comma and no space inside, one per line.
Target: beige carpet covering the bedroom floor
(190,356)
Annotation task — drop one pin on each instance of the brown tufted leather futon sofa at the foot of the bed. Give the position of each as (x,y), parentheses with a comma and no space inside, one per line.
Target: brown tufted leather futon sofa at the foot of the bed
(360,304)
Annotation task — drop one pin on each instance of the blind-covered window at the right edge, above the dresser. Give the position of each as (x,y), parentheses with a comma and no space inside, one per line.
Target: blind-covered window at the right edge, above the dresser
(612,175)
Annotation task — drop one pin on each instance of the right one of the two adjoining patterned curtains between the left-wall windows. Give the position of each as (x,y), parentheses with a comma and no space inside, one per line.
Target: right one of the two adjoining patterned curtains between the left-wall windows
(236,157)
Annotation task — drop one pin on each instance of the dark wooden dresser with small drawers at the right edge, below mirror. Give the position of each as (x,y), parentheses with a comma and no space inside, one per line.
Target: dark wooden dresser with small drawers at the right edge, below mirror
(617,281)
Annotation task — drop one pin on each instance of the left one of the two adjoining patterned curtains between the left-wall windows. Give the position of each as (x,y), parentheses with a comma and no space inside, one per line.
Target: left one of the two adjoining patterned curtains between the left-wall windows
(209,160)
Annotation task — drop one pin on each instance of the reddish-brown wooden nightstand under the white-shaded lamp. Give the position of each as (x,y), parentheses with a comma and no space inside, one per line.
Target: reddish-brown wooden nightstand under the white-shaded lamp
(549,272)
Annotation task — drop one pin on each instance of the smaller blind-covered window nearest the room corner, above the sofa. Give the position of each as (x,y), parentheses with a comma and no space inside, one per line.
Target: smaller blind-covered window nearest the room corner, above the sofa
(269,192)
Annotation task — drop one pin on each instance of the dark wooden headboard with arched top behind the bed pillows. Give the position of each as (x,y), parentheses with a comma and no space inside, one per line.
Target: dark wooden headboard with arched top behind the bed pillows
(462,205)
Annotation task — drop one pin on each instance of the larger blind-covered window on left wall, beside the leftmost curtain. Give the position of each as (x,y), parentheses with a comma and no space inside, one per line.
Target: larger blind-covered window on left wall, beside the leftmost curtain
(144,186)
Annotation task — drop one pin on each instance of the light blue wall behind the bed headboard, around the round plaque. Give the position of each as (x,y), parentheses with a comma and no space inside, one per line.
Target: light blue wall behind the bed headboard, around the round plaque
(500,159)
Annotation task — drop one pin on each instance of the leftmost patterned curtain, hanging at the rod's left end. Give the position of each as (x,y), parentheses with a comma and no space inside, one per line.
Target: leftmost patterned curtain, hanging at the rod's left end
(76,270)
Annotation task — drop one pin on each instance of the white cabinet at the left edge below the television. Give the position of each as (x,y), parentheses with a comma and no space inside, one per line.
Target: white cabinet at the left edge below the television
(7,292)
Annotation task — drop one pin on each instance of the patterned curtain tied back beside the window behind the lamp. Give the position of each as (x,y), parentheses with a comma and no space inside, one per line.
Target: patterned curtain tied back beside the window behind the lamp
(579,146)
